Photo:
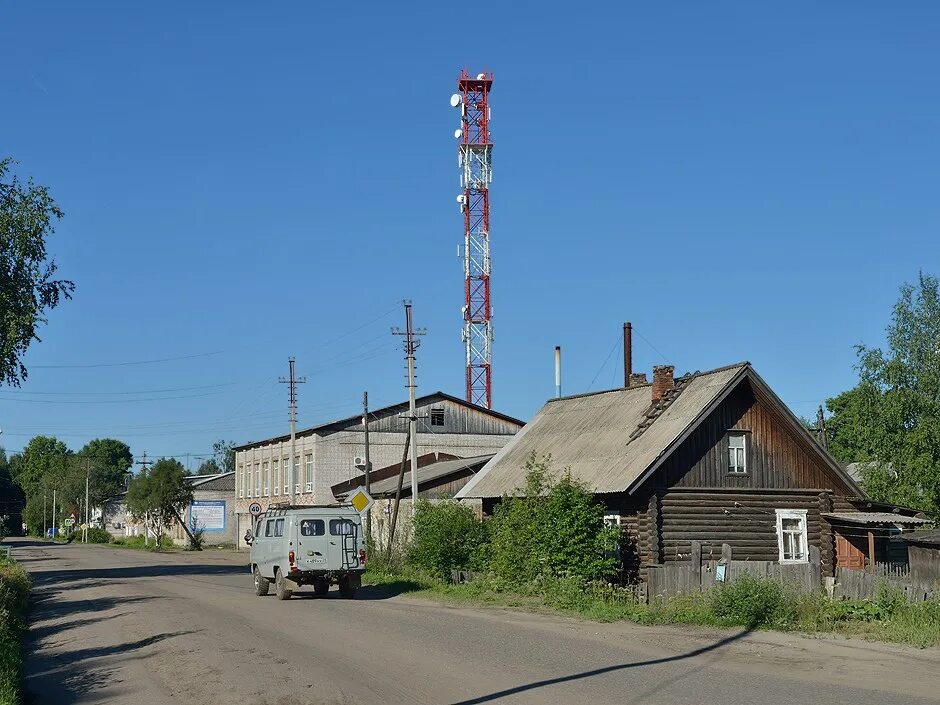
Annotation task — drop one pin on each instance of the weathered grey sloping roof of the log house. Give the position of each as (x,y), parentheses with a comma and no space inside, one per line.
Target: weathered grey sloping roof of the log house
(612,441)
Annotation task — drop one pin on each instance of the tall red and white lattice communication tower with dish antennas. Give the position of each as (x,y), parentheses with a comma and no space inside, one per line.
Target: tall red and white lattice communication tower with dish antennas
(474,157)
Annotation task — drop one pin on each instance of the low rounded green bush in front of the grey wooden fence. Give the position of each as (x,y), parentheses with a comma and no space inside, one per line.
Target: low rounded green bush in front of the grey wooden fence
(752,602)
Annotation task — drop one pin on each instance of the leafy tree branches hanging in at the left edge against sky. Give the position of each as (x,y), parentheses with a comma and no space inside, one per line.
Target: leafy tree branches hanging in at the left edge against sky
(28,287)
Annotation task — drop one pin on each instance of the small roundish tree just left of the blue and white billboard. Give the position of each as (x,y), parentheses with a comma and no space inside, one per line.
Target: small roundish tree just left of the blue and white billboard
(158,495)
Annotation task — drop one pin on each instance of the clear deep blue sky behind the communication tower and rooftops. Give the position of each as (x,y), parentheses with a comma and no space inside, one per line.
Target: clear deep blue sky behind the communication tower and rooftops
(247,181)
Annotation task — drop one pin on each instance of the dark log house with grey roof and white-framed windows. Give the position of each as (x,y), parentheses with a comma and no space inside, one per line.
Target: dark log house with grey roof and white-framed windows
(714,457)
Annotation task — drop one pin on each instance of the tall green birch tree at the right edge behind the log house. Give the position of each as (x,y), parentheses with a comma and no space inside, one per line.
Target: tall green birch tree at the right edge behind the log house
(897,403)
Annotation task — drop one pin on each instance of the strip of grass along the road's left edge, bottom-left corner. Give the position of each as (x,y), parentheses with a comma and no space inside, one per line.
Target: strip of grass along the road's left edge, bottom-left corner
(14,597)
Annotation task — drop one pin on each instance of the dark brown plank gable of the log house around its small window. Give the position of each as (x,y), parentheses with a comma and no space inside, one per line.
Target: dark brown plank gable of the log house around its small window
(779,456)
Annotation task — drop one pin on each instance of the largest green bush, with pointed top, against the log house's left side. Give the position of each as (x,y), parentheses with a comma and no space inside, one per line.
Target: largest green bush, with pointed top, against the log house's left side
(555,529)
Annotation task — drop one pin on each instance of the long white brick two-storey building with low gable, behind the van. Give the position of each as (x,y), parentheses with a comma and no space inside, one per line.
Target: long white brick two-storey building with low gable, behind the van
(325,455)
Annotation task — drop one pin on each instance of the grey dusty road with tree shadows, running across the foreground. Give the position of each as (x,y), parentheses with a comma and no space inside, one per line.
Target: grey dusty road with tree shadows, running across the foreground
(119,626)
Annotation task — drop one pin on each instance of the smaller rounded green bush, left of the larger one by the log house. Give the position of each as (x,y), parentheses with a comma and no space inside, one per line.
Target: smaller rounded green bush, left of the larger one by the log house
(446,536)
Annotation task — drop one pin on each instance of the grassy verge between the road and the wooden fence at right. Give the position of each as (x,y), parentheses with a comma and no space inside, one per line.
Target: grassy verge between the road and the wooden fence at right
(748,602)
